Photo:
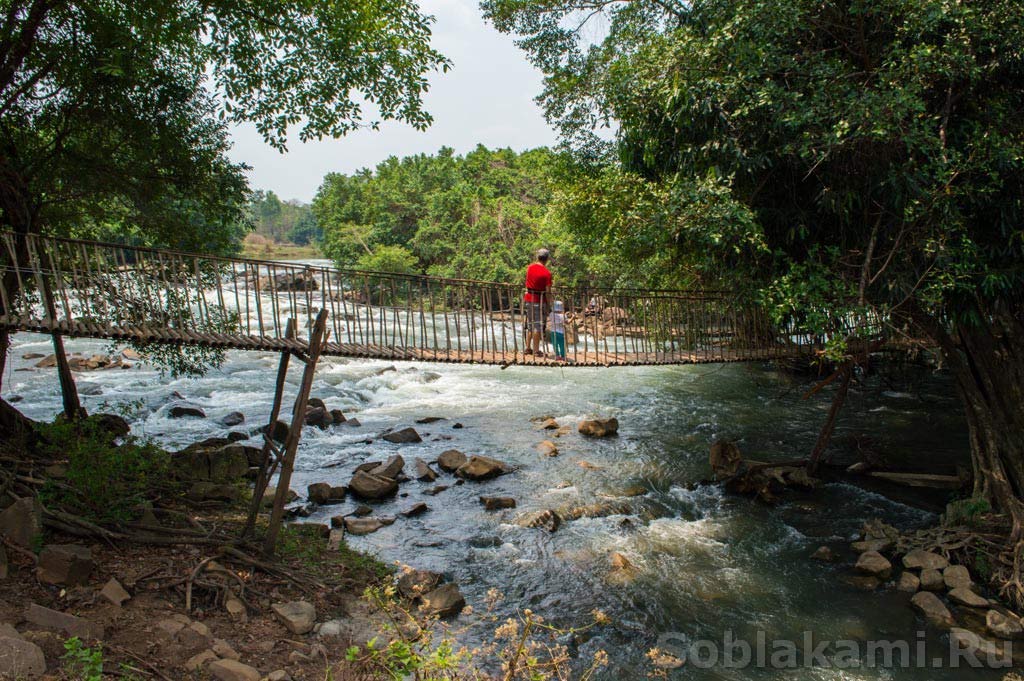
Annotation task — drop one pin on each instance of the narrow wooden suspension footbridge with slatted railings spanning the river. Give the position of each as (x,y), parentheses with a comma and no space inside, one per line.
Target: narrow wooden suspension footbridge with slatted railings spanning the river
(150,295)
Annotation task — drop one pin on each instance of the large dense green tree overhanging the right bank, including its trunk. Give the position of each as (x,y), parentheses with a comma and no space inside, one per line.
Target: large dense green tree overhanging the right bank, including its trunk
(836,155)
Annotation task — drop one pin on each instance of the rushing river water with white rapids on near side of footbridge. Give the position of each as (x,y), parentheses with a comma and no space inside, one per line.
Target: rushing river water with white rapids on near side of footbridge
(705,564)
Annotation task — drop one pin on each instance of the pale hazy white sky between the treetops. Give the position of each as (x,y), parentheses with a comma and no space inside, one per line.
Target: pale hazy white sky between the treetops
(487,98)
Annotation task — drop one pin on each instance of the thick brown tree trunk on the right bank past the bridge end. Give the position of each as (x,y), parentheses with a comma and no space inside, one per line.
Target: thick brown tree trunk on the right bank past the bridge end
(988,359)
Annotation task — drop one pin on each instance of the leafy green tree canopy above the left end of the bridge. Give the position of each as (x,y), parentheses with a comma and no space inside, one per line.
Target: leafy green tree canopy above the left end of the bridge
(114,115)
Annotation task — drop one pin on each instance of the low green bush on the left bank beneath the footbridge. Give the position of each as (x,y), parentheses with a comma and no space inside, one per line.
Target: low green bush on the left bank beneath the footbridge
(106,481)
